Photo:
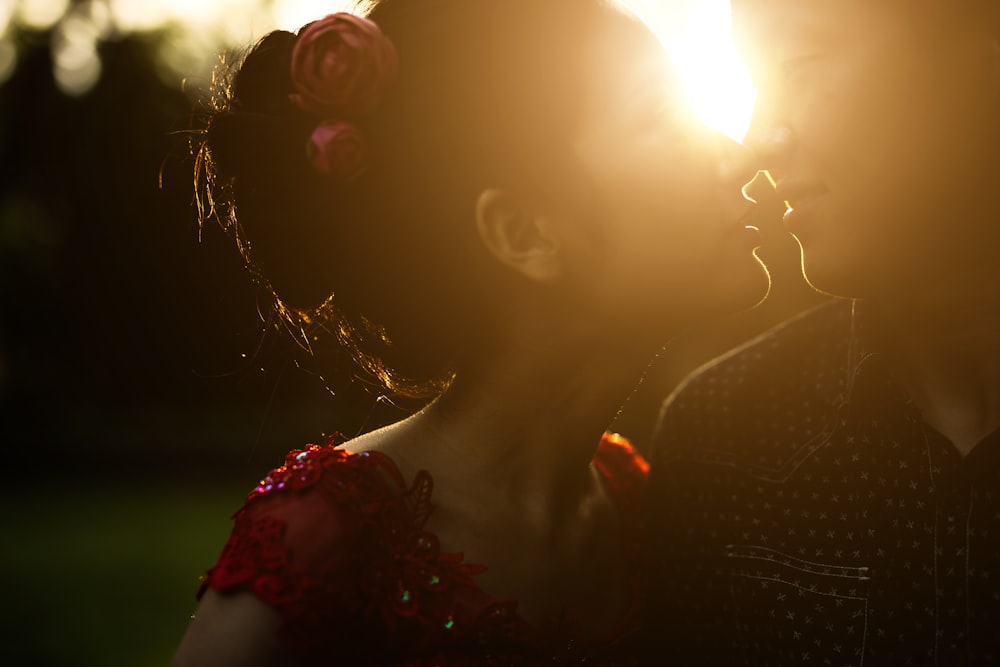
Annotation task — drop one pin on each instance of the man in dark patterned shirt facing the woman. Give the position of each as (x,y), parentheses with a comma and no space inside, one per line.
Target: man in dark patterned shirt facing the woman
(829,494)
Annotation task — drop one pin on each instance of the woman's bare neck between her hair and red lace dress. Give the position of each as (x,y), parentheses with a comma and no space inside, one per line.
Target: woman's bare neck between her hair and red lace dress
(522,428)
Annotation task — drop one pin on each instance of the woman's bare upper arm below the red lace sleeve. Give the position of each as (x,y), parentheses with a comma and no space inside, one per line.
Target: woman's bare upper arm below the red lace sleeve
(232,630)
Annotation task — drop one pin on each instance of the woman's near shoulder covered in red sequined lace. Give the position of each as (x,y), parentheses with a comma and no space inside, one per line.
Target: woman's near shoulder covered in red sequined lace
(335,538)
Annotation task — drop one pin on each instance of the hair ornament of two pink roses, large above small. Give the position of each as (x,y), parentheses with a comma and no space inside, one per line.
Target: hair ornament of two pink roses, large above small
(342,66)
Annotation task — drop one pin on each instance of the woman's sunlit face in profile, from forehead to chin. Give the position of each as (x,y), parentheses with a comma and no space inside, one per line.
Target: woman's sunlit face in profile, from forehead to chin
(668,204)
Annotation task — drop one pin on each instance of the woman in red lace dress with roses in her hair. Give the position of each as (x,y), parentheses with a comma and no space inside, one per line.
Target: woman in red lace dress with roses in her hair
(512,211)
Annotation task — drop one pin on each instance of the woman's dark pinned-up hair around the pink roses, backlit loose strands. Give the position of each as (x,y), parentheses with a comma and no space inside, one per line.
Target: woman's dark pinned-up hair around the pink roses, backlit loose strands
(486,95)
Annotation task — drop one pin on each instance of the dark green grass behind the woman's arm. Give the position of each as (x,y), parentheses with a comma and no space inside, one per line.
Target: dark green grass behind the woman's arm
(103,575)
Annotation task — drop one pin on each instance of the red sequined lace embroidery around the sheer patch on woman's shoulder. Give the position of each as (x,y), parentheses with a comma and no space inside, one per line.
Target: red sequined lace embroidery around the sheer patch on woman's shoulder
(399,575)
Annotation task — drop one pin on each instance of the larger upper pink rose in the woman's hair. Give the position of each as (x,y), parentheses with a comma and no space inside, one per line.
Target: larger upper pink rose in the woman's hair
(342,66)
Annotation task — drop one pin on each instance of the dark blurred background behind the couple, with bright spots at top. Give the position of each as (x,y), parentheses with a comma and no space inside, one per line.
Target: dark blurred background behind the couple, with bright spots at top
(141,392)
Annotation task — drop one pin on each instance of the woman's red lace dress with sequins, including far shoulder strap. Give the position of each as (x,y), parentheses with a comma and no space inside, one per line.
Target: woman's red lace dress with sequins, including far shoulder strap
(335,542)
